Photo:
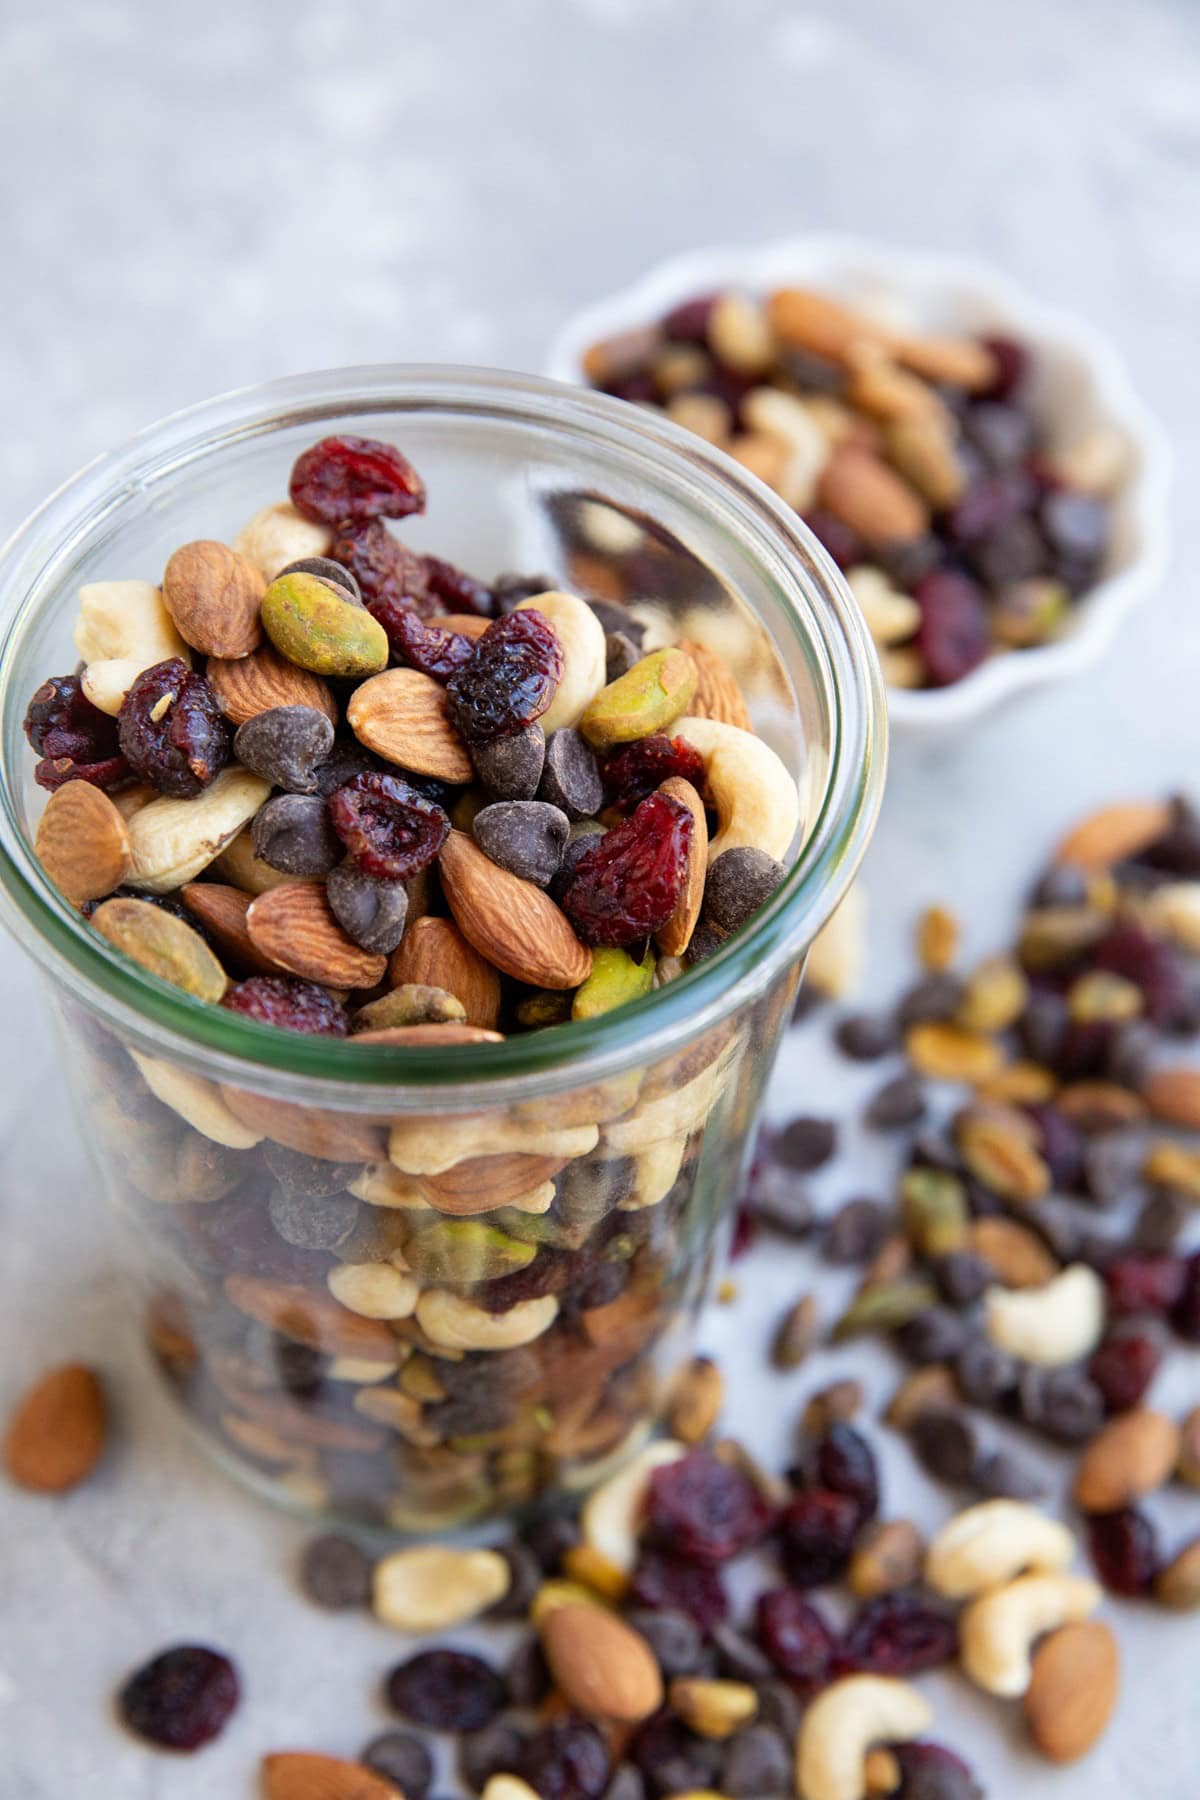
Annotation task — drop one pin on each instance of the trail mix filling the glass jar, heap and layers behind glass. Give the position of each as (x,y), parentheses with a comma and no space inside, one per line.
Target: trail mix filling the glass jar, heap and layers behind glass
(348,791)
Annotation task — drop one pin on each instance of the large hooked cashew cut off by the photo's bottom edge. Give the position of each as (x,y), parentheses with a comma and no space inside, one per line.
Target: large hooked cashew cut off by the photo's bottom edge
(843,1725)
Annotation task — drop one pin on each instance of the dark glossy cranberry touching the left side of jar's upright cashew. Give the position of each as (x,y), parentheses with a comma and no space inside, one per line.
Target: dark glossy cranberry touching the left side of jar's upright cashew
(510,678)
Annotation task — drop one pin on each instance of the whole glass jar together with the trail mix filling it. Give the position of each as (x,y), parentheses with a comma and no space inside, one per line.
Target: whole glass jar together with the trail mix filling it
(420,921)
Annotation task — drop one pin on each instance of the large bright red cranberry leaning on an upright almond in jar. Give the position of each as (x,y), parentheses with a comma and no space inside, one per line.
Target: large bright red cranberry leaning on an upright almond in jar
(631,883)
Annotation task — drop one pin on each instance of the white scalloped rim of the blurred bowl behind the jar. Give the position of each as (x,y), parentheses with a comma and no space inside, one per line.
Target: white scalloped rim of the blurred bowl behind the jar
(1147,489)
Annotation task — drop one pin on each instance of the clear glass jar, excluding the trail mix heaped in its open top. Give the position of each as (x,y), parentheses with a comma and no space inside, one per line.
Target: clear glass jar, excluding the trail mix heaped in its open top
(424,1288)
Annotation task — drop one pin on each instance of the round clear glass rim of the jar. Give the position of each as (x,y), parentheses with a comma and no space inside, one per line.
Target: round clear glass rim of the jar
(318,1070)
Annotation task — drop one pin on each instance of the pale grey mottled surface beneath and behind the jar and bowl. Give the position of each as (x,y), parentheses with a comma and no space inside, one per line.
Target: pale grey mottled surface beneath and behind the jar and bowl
(201,197)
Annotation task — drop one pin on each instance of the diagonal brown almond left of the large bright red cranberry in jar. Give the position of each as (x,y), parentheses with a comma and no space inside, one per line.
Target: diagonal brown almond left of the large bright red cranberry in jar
(508,921)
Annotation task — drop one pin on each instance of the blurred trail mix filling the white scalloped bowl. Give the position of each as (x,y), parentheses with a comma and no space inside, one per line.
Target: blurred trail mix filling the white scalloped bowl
(920,463)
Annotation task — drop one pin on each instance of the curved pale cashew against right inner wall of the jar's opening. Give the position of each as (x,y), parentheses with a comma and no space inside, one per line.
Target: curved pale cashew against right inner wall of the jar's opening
(755,796)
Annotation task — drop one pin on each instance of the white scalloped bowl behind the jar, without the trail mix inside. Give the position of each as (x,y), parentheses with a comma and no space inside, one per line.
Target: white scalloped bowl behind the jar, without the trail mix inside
(1079,382)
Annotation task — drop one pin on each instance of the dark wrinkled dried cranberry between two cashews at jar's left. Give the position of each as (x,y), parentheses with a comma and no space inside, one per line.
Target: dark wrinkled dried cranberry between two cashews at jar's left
(174,732)
